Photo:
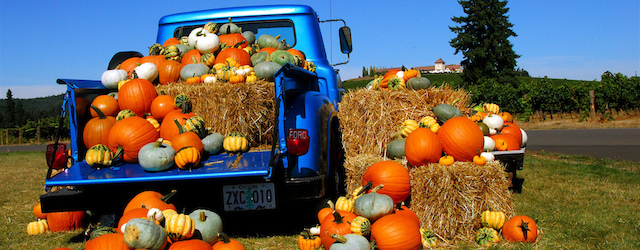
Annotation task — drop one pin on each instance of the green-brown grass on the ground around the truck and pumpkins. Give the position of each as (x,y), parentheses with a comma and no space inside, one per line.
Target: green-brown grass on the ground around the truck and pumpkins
(578,202)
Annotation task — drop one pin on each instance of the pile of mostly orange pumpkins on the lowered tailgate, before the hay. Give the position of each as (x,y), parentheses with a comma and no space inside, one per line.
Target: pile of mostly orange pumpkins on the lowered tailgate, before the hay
(157,131)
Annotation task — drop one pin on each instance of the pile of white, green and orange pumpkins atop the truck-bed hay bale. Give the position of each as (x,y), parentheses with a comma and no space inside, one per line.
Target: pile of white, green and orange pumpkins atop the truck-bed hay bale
(209,54)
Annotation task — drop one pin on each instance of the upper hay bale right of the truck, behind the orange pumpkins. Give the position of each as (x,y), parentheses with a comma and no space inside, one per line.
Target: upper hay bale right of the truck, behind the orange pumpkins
(369,119)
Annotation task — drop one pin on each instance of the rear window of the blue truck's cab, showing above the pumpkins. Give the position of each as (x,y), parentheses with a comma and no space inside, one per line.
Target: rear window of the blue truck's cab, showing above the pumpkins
(284,28)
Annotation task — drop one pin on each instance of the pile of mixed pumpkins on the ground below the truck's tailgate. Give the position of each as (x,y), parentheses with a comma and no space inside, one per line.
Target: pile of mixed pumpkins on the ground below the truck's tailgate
(149,221)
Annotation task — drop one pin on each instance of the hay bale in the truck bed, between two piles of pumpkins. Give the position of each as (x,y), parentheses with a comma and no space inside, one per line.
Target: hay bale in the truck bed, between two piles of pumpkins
(244,107)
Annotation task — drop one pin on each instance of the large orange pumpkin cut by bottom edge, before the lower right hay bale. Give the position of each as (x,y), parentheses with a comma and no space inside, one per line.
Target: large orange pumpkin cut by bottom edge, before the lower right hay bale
(396,231)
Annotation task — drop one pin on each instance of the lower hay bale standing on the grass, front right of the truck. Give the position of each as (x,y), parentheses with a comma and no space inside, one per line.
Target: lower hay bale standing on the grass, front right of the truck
(449,199)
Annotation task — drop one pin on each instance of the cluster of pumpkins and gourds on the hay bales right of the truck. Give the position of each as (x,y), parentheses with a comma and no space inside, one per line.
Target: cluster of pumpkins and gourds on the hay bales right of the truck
(449,136)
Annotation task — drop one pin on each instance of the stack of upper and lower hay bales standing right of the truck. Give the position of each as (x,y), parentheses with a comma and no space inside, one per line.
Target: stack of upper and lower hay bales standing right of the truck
(447,199)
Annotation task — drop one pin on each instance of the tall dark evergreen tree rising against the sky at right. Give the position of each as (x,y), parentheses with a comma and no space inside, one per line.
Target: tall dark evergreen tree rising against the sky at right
(483,40)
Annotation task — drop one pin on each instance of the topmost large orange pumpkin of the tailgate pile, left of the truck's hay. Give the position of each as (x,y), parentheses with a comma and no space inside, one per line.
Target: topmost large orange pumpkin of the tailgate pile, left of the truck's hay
(137,96)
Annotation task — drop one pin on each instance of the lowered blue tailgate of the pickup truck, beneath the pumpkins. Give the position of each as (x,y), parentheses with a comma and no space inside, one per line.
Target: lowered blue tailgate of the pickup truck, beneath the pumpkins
(250,164)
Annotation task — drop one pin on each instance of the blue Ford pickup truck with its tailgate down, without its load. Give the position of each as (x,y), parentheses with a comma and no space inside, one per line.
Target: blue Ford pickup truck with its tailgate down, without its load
(264,180)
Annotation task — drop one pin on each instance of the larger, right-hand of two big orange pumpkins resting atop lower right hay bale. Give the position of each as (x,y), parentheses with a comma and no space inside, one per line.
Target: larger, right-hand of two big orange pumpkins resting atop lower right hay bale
(461,138)
